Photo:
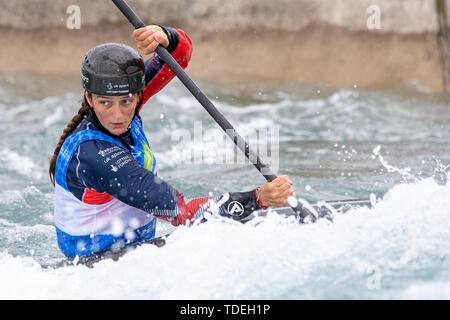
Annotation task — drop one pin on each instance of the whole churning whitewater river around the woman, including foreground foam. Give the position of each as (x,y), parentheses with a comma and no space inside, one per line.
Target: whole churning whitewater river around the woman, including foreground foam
(334,144)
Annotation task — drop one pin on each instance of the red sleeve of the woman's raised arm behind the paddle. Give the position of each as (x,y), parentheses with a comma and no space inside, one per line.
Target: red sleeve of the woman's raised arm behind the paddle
(182,55)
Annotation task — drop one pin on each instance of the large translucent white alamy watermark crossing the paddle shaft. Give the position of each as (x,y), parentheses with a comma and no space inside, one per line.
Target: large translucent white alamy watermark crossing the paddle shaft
(214,146)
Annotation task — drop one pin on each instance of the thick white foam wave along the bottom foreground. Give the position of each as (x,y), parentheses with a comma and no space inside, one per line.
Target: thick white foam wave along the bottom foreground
(405,237)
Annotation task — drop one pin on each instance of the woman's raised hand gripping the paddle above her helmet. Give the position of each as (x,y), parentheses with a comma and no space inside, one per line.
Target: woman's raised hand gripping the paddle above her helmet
(148,38)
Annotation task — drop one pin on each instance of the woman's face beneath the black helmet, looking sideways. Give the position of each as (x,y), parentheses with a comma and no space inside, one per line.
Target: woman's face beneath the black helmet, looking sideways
(115,113)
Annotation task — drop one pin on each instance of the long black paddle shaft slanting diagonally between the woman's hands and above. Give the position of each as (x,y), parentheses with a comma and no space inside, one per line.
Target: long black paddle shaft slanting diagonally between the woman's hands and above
(200,96)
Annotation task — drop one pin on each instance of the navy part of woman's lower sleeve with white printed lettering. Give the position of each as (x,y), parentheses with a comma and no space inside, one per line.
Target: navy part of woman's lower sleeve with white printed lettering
(100,167)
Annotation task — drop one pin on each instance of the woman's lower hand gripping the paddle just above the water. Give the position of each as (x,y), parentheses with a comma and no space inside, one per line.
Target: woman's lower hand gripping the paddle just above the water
(275,193)
